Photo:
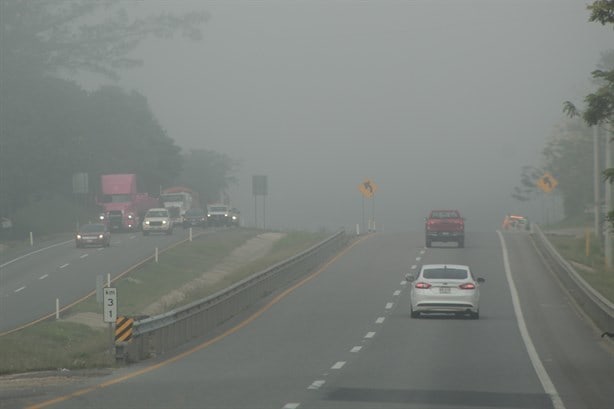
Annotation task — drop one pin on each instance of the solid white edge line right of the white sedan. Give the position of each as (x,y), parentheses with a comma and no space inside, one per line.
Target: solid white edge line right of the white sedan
(545,380)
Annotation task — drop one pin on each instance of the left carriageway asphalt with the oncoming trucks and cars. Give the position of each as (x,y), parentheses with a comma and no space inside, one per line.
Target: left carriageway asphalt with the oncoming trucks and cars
(31,282)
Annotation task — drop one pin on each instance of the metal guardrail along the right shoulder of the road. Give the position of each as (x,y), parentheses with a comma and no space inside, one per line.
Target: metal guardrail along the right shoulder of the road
(595,305)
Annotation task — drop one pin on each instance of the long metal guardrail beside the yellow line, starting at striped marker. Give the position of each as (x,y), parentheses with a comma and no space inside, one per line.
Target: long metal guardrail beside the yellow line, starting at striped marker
(156,335)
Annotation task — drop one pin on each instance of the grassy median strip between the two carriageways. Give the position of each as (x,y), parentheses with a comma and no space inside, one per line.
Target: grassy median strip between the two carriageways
(66,344)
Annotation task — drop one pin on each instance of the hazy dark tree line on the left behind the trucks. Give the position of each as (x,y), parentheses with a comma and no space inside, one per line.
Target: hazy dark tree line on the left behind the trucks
(51,128)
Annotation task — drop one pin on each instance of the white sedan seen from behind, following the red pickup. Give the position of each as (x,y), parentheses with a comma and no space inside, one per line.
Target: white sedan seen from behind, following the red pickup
(445,288)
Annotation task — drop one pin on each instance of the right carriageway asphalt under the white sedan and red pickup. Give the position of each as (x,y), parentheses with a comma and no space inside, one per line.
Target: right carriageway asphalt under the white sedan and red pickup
(344,339)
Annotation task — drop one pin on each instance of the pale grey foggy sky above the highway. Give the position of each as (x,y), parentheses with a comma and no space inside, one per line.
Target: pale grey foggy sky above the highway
(440,103)
